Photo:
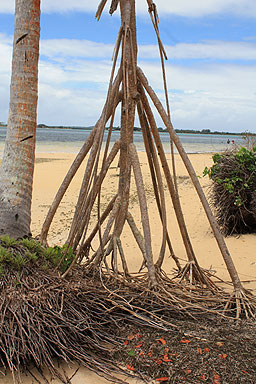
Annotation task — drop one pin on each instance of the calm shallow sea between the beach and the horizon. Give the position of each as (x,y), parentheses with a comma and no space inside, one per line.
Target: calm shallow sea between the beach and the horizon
(71,140)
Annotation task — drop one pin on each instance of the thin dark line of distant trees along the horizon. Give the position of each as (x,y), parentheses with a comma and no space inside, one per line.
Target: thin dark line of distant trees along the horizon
(138,129)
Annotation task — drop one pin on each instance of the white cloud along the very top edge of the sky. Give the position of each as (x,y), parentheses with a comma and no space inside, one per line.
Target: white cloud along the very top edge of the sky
(195,8)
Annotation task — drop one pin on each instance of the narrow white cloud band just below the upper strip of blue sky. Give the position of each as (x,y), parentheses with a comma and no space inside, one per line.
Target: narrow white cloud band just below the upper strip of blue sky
(217,50)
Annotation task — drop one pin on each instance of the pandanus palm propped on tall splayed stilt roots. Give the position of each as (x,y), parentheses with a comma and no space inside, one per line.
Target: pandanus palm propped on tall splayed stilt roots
(131,88)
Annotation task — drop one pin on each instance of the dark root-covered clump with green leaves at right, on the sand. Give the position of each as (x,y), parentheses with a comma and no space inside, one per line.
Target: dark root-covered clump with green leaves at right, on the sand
(233,191)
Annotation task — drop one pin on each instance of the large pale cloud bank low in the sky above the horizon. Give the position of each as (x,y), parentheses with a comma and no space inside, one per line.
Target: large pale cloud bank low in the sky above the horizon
(219,97)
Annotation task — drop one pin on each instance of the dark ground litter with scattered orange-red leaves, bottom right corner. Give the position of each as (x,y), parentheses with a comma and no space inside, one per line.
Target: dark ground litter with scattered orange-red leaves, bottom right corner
(198,352)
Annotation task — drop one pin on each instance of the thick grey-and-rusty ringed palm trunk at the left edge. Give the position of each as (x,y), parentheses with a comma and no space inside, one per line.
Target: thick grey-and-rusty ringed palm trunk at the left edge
(16,176)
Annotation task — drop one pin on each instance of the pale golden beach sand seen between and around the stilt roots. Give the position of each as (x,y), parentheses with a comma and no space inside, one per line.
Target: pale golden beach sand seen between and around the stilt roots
(50,170)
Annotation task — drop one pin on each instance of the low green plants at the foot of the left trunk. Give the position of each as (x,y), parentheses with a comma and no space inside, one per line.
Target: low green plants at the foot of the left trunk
(15,254)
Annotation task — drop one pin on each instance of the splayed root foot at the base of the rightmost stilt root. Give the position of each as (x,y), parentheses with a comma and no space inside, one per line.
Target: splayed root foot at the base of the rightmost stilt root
(241,302)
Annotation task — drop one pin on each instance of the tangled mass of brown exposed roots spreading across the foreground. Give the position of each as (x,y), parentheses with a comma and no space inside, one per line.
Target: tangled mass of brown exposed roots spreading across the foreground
(80,318)
